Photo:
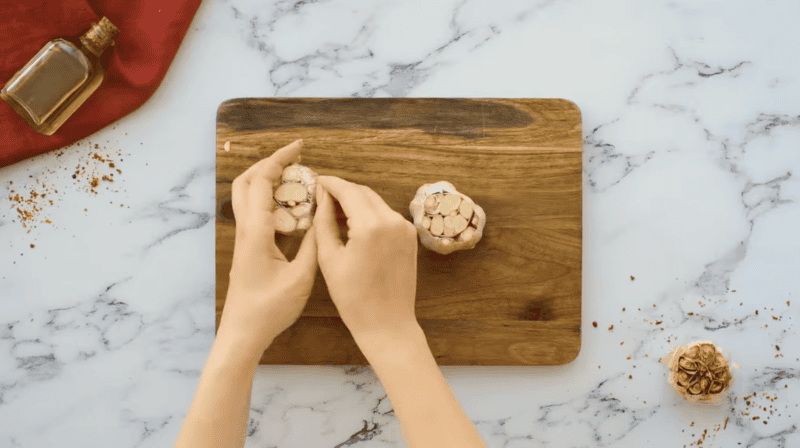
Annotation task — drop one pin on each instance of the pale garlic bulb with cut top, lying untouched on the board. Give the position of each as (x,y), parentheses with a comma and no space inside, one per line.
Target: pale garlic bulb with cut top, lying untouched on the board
(446,220)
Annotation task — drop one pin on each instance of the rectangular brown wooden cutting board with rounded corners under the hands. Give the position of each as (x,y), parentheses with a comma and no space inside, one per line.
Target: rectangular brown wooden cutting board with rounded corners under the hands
(515,299)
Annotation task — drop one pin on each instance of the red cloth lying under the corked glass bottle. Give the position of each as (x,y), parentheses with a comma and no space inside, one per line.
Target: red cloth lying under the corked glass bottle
(150,32)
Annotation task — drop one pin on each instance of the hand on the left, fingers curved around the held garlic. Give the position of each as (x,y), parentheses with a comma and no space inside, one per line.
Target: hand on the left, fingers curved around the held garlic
(266,293)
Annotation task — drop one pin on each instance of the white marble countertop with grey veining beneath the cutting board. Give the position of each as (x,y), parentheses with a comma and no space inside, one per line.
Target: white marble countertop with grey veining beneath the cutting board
(691,115)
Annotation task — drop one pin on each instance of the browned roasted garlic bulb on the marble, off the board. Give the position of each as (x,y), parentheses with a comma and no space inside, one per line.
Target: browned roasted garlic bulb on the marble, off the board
(699,372)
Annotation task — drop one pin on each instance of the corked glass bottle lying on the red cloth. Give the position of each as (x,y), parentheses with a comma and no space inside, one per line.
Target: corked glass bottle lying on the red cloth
(62,75)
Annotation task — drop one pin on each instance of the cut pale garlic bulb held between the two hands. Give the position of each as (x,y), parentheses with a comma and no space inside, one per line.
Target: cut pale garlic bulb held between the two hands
(296,198)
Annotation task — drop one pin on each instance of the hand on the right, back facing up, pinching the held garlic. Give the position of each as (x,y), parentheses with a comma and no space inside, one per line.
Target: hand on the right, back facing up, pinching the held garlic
(373,278)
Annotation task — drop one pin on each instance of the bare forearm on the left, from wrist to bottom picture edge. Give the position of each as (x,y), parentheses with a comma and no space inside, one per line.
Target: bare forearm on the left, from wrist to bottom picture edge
(218,415)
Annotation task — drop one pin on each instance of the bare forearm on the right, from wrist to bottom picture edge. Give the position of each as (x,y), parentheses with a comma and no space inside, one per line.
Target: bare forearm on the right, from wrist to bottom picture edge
(429,413)
